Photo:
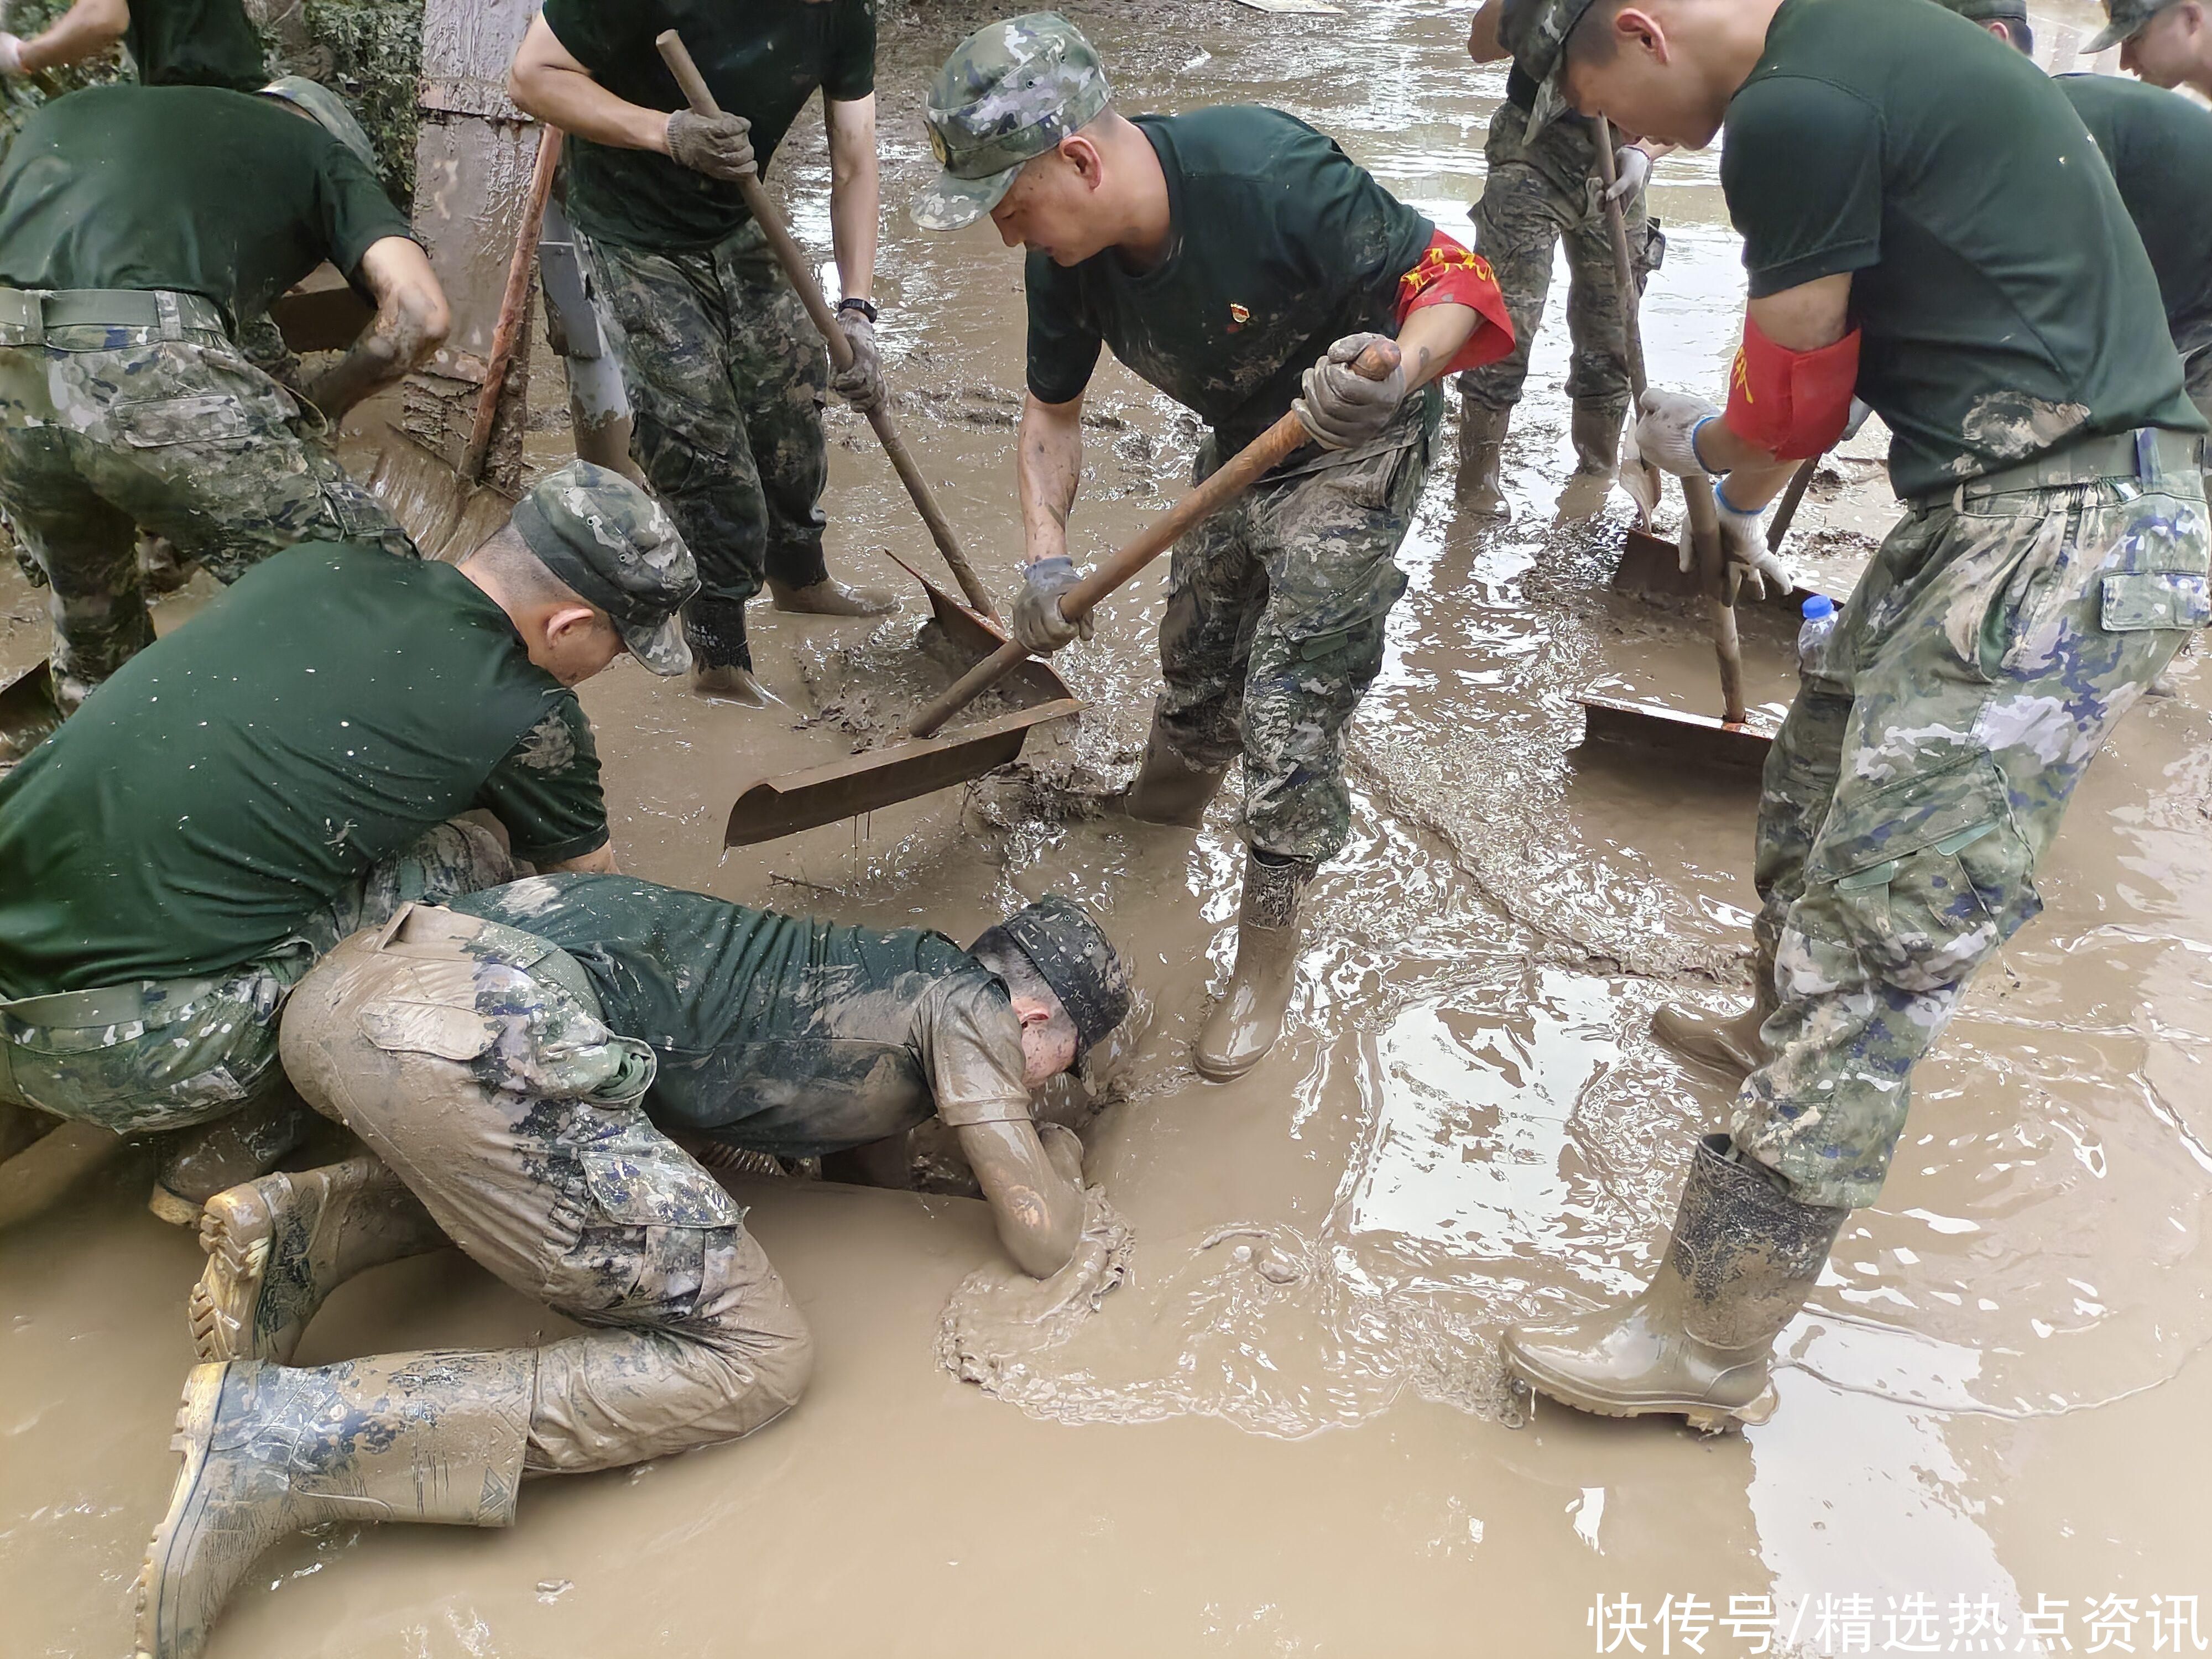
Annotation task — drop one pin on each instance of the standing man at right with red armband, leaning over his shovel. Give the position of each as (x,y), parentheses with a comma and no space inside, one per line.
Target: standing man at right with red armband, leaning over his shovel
(2052,563)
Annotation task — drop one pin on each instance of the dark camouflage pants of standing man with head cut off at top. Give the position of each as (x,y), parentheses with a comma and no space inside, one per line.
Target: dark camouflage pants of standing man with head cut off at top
(727,382)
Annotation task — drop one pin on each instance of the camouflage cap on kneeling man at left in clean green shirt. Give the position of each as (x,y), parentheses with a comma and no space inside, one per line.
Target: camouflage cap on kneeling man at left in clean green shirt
(616,547)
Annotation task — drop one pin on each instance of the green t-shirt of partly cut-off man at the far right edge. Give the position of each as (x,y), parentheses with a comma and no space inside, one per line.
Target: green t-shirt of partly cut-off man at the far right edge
(2160,147)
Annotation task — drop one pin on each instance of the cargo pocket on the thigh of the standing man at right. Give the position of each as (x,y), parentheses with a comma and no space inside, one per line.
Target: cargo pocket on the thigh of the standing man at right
(1930,873)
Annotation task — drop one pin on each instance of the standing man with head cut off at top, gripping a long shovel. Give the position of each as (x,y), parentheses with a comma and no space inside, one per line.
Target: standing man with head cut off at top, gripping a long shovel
(722,366)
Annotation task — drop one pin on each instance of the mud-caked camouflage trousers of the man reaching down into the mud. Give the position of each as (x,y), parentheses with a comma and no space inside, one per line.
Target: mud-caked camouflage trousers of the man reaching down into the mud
(472,1061)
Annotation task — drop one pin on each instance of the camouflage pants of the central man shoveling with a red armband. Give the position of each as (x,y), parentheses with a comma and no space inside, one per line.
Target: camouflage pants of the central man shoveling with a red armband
(1275,632)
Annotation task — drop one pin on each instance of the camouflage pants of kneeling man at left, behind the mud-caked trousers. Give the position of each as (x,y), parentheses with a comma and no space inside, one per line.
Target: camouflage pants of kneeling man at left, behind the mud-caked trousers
(171,1054)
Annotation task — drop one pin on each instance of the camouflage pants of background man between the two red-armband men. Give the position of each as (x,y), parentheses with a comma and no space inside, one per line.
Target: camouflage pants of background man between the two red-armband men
(1538,196)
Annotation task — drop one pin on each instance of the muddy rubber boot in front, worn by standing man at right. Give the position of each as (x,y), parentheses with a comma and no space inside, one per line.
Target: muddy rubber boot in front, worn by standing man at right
(1698,1342)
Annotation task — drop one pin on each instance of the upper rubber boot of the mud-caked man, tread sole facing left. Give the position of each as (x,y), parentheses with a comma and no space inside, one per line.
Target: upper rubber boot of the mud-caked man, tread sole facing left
(282,1244)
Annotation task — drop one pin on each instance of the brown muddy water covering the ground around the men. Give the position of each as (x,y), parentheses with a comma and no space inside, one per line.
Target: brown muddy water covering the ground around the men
(1286,1430)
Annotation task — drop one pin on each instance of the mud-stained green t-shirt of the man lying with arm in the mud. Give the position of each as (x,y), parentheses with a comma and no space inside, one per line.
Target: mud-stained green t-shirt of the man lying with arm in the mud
(782,1034)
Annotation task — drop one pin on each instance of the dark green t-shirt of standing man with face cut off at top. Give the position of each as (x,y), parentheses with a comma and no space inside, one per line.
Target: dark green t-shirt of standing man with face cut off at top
(762,61)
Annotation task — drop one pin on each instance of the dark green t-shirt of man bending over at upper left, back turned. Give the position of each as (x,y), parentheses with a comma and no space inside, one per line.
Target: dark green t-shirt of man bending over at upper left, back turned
(185,187)
